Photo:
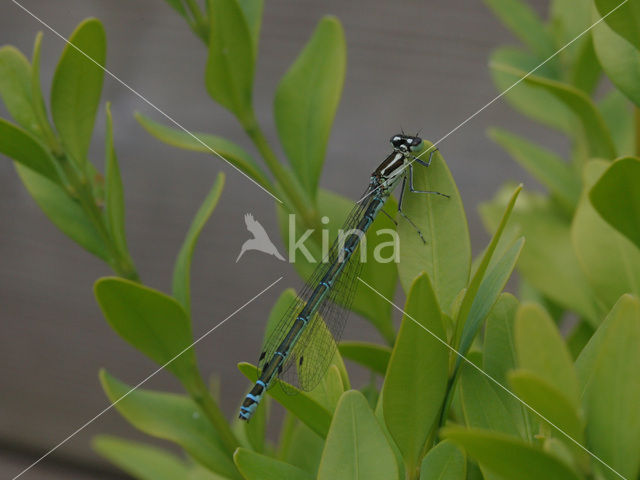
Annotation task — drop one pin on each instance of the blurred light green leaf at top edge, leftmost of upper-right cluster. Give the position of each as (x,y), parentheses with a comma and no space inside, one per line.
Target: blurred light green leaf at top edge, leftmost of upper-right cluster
(525,24)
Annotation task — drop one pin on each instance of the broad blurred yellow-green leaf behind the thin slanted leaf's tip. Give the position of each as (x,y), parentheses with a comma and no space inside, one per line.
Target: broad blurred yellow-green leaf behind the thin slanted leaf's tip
(555,272)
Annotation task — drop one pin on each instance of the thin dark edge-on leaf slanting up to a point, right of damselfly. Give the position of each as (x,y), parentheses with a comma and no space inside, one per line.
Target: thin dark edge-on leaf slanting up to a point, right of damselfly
(480,271)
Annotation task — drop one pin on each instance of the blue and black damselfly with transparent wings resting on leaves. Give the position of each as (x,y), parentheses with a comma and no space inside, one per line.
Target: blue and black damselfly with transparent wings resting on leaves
(301,346)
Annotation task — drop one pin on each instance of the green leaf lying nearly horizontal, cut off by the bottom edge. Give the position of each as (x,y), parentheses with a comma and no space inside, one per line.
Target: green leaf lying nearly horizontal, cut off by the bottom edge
(509,457)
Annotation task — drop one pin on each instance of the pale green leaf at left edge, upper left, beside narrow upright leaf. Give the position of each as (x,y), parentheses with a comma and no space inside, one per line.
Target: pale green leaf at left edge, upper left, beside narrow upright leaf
(15,88)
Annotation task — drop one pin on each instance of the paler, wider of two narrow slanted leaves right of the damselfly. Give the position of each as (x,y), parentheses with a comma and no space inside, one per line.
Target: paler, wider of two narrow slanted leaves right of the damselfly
(490,288)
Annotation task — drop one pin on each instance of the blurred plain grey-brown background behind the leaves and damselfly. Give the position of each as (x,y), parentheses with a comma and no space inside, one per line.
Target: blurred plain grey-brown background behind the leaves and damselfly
(411,64)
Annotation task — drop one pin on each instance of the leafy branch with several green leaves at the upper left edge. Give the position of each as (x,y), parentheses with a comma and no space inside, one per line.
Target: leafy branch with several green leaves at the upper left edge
(53,163)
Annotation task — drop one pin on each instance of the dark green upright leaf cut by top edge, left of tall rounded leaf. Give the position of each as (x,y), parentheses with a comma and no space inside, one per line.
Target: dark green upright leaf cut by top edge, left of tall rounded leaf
(230,66)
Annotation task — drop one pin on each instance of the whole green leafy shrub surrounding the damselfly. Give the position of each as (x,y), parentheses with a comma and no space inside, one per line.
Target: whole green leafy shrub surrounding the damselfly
(524,402)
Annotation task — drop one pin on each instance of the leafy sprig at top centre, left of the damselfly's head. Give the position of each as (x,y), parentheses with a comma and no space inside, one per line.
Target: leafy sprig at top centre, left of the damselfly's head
(304,107)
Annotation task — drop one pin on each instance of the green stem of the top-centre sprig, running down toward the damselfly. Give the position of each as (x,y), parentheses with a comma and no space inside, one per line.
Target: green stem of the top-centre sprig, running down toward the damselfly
(286,181)
